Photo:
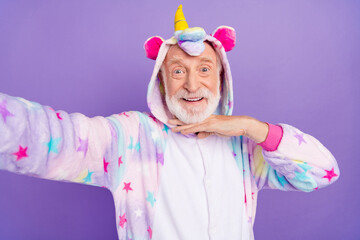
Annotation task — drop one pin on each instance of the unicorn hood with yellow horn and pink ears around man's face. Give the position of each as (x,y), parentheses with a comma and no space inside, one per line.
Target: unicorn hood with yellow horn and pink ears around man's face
(190,40)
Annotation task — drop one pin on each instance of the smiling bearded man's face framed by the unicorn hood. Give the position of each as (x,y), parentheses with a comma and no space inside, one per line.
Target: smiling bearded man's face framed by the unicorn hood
(191,83)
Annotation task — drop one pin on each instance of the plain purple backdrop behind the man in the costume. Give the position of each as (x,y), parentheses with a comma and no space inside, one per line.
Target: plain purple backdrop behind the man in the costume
(295,62)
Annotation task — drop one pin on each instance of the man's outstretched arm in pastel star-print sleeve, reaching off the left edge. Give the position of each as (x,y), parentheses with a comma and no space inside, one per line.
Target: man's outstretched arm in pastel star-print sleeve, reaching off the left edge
(37,141)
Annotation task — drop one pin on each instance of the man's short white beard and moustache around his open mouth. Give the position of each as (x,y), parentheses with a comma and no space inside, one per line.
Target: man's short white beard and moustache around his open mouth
(195,114)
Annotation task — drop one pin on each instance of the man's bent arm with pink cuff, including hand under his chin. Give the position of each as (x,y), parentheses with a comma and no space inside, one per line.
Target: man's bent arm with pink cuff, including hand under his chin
(281,156)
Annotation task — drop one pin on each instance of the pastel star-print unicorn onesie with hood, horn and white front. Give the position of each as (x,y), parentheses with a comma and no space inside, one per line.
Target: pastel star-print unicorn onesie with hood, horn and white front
(165,185)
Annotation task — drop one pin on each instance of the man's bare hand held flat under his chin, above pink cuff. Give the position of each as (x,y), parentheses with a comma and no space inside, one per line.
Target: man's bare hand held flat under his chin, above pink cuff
(225,126)
